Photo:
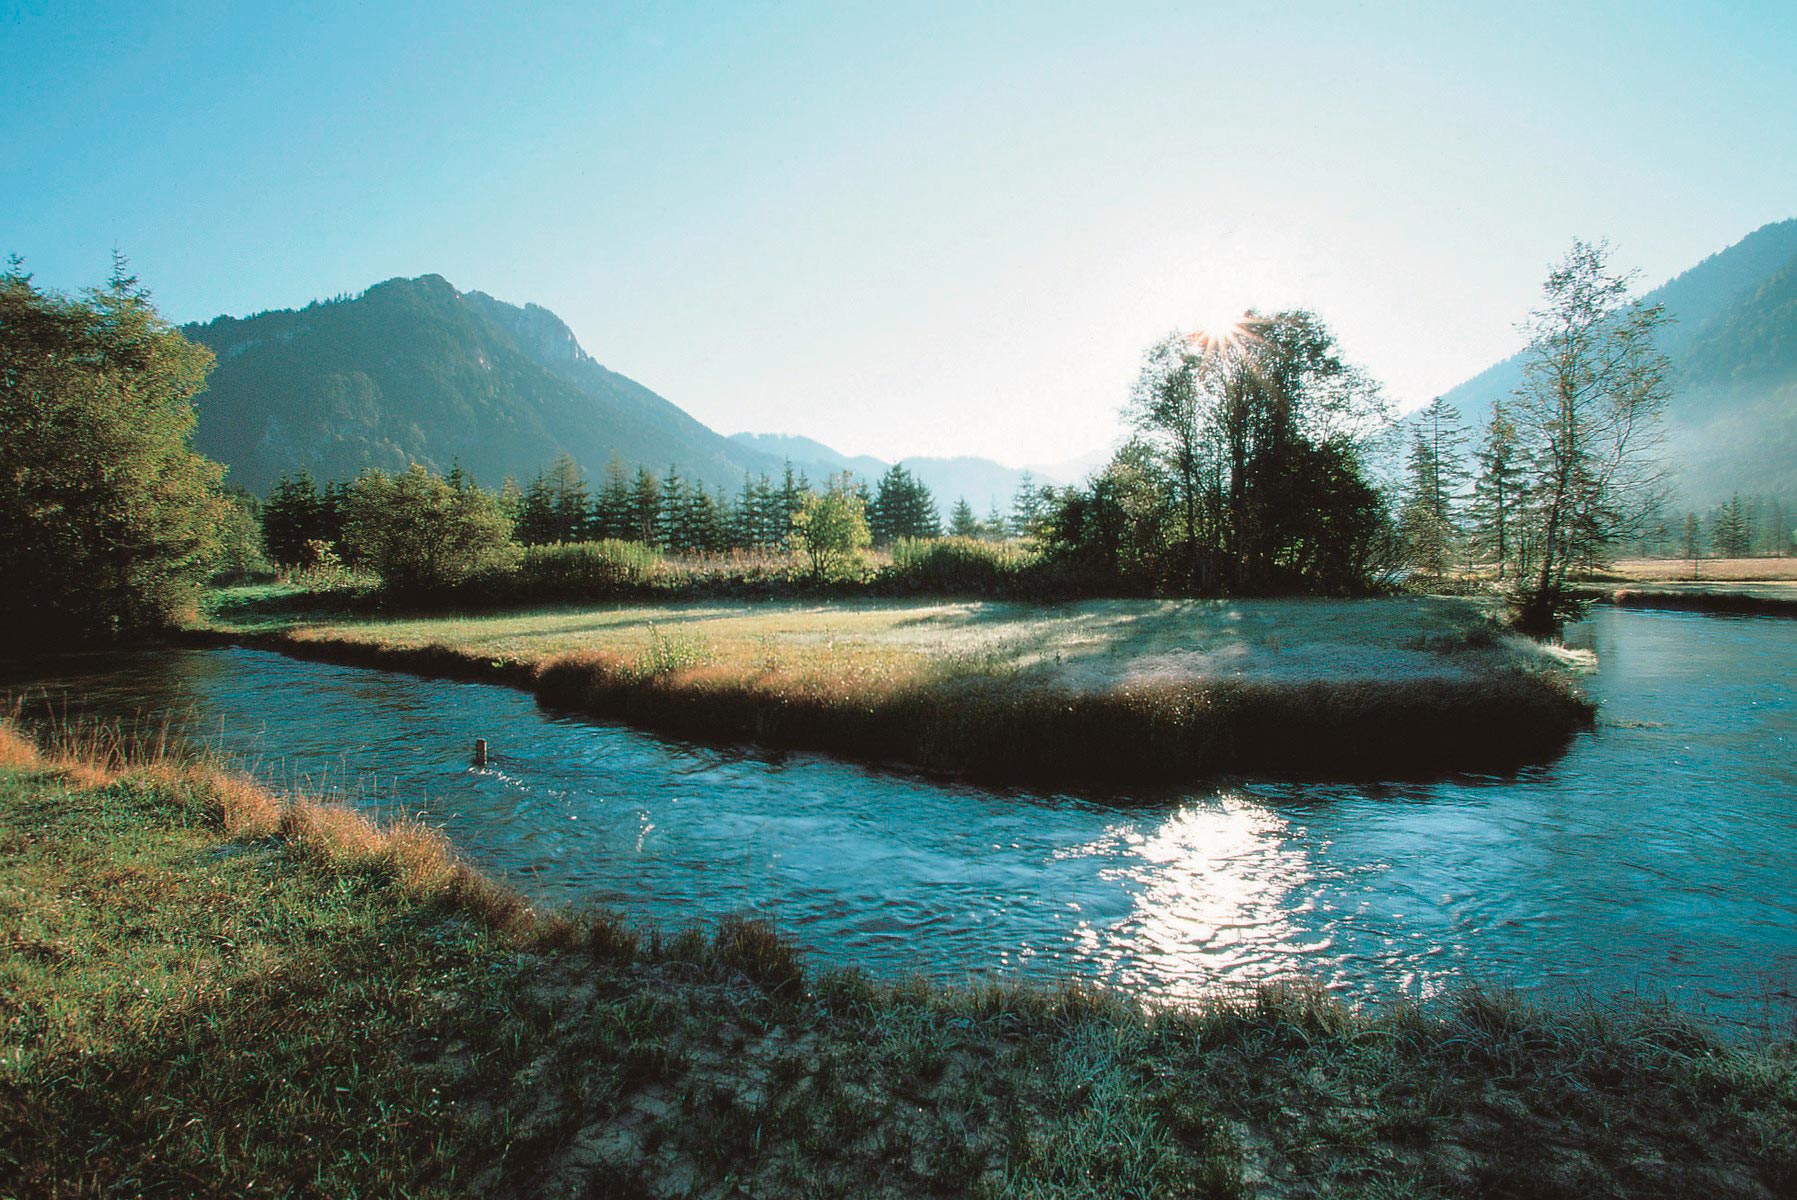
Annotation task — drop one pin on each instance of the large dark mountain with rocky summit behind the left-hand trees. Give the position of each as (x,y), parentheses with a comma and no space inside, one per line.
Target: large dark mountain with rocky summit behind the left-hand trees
(416,371)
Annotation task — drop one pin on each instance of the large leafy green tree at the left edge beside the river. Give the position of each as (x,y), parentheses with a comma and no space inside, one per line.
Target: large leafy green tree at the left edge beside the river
(109,520)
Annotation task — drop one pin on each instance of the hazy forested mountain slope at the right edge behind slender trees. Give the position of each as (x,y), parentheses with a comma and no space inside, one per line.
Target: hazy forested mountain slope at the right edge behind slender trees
(1733,419)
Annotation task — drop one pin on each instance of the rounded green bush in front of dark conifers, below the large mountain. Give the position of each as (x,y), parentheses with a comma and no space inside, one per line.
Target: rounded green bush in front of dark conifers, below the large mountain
(420,533)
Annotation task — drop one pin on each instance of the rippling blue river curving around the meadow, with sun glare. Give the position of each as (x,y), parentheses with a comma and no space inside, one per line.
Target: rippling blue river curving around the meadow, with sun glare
(1660,854)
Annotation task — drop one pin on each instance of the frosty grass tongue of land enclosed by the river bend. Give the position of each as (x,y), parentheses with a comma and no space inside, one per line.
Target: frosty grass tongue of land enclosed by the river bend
(1097,693)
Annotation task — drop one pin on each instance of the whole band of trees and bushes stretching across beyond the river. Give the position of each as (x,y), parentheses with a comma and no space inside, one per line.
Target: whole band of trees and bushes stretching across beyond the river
(1248,472)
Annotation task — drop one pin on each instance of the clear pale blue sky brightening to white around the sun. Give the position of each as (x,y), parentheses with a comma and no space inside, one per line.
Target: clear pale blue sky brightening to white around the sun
(901,229)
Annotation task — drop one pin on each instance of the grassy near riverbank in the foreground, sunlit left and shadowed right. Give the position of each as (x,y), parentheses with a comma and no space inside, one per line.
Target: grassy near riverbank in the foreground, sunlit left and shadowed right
(217,993)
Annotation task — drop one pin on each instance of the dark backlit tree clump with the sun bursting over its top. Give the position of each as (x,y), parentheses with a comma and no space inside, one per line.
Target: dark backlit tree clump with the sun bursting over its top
(1246,472)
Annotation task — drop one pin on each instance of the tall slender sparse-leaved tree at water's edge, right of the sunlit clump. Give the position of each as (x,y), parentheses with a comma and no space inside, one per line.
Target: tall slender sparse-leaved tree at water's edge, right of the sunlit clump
(1595,385)
